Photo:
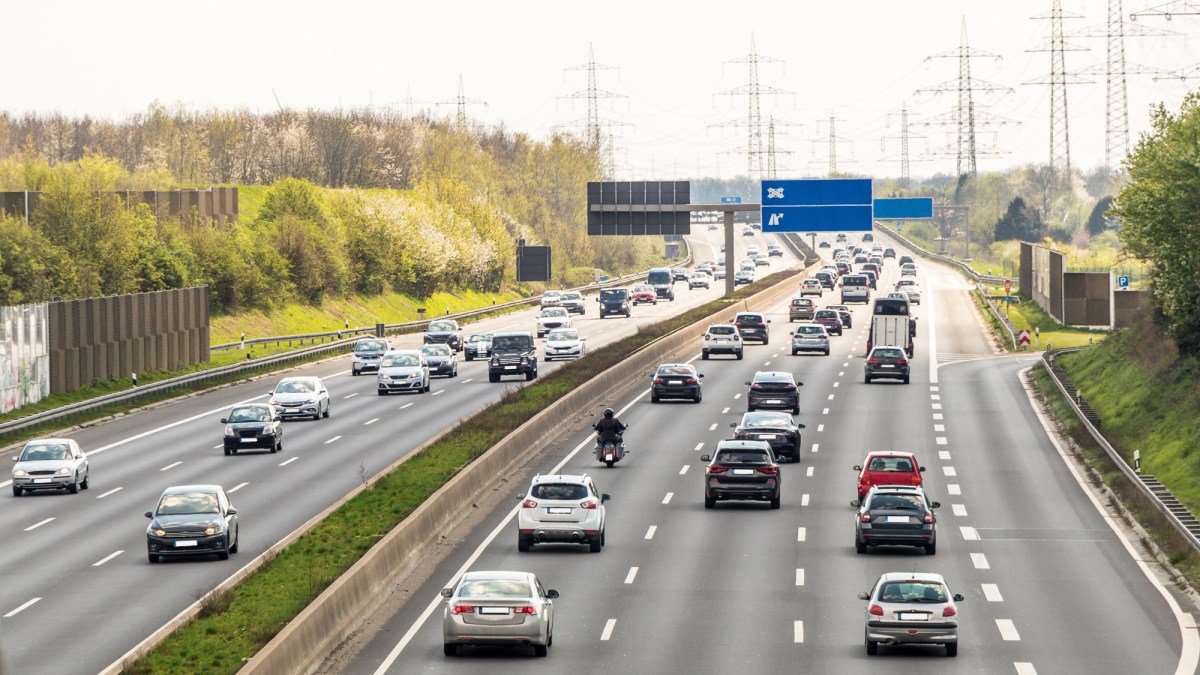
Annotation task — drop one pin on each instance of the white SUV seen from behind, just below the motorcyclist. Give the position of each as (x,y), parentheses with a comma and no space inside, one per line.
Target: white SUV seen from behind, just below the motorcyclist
(561,509)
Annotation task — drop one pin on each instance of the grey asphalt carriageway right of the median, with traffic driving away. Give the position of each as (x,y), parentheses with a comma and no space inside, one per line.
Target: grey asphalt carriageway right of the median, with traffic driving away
(1052,584)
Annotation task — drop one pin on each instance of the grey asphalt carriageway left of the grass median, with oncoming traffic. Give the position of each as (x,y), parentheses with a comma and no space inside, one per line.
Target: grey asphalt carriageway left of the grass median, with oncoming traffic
(79,592)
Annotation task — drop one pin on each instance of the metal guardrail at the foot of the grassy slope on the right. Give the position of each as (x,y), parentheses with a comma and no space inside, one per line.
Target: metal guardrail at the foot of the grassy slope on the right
(1167,505)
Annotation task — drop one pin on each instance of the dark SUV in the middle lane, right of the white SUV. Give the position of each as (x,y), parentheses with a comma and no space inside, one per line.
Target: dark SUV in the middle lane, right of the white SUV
(742,470)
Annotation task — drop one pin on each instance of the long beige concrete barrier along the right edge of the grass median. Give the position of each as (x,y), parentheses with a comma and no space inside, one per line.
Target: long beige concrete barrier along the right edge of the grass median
(326,623)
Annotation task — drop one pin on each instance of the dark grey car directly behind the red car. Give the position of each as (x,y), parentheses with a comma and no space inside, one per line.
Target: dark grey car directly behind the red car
(896,516)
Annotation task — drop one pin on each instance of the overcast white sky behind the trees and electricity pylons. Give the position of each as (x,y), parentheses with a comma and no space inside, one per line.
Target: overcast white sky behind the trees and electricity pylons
(855,61)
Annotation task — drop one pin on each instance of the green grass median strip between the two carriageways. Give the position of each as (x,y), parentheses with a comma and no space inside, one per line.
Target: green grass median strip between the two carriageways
(233,626)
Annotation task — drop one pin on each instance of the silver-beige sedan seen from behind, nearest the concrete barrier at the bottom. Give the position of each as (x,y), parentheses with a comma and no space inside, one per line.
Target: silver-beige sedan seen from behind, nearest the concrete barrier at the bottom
(499,608)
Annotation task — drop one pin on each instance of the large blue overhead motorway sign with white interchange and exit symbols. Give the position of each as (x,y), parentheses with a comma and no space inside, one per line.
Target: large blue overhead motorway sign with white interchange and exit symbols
(843,205)
